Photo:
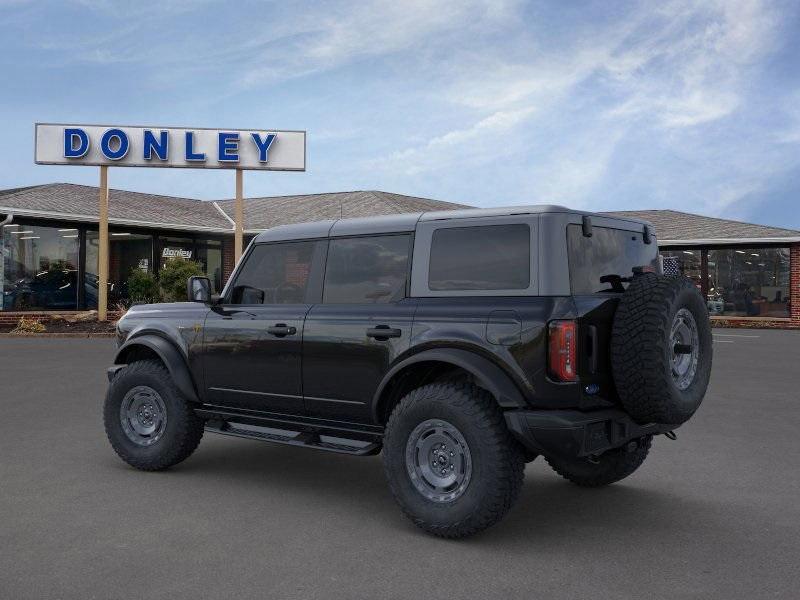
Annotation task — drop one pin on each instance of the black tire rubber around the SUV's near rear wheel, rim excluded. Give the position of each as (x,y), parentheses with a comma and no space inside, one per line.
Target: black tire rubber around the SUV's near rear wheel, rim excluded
(497,459)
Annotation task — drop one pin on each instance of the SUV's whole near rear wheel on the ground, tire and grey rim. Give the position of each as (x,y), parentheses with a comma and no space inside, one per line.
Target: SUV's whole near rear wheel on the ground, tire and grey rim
(451,464)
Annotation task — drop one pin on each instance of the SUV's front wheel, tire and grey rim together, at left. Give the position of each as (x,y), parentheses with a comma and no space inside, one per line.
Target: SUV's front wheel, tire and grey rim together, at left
(149,423)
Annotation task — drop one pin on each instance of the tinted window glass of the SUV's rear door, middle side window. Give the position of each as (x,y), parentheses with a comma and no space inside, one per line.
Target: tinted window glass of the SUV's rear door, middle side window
(366,270)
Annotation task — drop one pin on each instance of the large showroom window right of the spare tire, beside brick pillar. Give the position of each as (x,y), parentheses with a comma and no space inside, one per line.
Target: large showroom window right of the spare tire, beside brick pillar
(749,282)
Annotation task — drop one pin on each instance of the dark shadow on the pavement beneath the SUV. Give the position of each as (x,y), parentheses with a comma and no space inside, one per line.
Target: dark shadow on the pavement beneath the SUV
(549,508)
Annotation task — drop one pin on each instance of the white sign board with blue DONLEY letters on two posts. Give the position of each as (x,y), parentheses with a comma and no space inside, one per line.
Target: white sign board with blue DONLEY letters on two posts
(190,148)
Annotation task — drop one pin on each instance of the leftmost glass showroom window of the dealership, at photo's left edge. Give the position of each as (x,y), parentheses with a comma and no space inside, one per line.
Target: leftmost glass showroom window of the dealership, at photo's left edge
(39,268)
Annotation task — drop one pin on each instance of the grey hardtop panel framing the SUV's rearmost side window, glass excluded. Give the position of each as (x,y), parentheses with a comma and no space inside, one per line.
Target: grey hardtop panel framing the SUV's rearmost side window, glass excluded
(422,256)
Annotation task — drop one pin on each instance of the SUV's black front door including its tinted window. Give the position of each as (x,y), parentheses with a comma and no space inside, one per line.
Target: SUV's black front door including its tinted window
(253,338)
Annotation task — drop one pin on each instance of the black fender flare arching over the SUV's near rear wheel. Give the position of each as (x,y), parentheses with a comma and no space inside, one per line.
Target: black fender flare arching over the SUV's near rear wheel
(488,375)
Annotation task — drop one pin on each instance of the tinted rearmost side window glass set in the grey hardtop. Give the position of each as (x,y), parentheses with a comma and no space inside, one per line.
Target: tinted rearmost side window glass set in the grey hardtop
(490,257)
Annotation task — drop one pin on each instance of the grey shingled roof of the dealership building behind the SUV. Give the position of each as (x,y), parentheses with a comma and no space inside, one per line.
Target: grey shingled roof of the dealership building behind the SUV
(79,202)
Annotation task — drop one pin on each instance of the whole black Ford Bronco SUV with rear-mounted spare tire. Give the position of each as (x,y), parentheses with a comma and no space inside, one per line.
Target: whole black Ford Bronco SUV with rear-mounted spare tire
(461,344)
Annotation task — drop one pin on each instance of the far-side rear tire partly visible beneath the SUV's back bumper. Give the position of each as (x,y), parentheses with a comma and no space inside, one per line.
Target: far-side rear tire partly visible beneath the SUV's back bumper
(605,469)
